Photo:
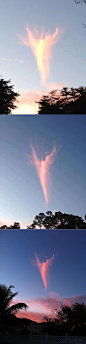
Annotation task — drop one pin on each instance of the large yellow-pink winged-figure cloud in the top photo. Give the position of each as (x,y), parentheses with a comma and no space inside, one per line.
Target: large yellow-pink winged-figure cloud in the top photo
(41,48)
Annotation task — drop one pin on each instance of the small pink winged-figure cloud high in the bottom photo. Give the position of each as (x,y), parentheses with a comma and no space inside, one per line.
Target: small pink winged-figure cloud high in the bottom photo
(44,269)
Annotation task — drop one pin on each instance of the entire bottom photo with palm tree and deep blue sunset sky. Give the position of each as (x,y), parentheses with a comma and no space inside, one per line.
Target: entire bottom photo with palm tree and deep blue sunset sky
(43,286)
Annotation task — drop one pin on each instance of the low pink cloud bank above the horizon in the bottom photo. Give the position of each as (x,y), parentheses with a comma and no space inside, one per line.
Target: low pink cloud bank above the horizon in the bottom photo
(38,308)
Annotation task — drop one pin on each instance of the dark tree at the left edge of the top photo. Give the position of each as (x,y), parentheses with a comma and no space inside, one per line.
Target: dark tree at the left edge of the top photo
(7,97)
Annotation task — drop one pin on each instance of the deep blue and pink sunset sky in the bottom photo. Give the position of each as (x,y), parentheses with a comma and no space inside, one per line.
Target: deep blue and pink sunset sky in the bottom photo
(47,269)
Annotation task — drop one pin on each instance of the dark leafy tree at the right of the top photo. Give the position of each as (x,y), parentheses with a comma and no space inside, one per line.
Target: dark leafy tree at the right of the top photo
(66,101)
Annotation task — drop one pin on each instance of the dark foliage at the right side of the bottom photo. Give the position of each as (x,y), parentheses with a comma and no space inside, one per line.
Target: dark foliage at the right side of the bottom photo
(71,320)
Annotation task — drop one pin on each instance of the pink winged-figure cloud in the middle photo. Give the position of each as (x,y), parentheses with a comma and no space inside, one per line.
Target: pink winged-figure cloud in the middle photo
(42,168)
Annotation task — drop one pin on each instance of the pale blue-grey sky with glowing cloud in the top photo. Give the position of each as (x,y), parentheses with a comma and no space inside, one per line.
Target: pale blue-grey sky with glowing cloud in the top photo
(43,47)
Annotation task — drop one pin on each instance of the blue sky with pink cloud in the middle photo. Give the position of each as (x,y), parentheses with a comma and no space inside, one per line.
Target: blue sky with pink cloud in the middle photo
(42,166)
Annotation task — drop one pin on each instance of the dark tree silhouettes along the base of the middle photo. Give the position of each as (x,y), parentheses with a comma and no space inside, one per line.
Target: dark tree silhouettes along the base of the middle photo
(57,221)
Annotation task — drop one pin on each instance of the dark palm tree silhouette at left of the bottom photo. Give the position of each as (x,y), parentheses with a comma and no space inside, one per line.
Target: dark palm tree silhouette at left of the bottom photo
(6,296)
